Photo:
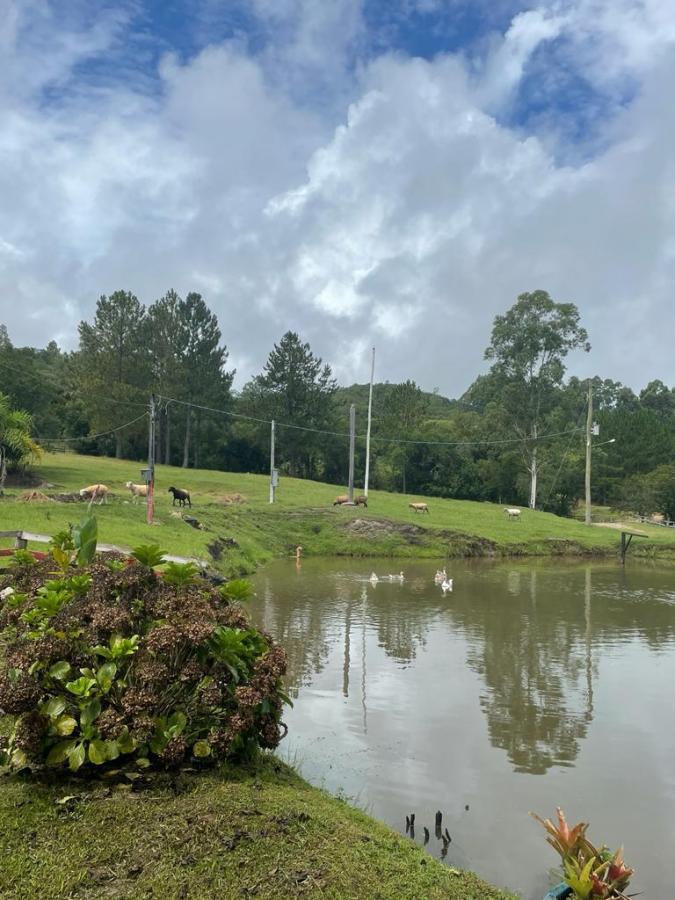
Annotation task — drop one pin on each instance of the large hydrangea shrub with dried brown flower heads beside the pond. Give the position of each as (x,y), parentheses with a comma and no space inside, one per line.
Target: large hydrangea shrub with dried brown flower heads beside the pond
(111,662)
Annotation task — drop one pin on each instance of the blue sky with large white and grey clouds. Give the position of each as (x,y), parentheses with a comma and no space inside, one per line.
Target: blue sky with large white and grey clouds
(387,173)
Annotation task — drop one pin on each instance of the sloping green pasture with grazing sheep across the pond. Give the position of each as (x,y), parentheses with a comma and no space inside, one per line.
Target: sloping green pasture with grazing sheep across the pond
(303,514)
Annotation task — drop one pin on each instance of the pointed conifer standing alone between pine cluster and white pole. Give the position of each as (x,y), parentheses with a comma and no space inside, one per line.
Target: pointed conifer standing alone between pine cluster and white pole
(294,388)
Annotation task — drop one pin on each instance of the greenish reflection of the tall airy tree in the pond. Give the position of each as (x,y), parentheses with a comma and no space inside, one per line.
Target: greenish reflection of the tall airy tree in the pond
(536,663)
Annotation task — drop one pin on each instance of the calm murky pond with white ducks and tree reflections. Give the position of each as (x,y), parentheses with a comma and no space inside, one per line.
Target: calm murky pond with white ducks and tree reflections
(530,685)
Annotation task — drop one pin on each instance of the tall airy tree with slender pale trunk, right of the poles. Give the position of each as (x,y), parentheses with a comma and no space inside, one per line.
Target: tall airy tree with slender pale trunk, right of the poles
(528,346)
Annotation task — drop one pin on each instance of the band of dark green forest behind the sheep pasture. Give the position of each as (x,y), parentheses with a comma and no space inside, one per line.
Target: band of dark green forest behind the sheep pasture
(517,435)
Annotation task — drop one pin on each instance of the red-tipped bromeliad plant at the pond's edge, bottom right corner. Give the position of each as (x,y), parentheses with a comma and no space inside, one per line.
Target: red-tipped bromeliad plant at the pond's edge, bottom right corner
(589,871)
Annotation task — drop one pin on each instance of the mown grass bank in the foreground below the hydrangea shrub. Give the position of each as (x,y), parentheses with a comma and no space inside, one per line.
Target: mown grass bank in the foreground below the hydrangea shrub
(263,833)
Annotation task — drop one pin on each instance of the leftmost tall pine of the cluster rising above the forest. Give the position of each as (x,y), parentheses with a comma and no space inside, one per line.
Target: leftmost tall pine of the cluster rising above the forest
(113,363)
